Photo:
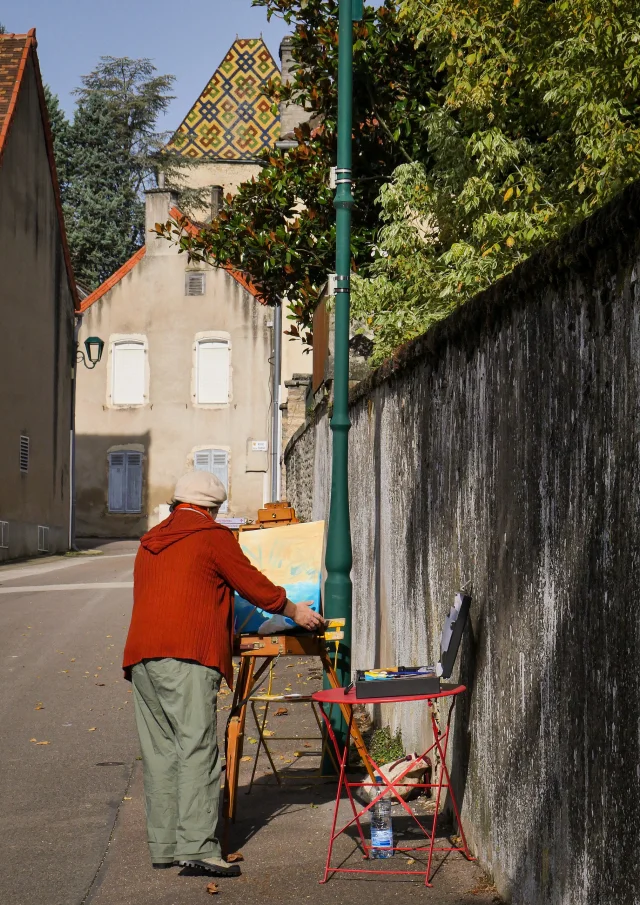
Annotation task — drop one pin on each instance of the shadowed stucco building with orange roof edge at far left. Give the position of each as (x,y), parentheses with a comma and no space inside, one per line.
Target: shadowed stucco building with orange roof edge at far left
(37,306)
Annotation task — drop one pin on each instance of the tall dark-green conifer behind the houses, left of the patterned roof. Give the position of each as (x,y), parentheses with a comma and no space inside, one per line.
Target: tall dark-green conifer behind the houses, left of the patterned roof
(107,156)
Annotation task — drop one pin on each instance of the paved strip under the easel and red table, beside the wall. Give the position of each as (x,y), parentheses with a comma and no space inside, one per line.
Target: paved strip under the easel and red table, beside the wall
(282,834)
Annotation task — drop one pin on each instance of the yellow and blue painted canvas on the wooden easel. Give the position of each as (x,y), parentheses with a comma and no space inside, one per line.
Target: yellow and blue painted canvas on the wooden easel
(291,556)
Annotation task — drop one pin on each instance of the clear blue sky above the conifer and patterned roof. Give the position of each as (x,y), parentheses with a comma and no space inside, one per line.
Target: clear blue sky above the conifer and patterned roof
(185,39)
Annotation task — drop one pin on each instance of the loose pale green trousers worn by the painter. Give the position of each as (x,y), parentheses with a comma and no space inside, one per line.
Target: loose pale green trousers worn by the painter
(175,704)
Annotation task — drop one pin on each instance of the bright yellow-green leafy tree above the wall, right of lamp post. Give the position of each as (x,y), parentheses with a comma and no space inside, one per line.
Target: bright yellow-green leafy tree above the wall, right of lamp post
(536,124)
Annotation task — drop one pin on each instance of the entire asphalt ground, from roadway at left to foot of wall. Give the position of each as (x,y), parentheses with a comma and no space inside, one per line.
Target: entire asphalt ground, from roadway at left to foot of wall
(71,800)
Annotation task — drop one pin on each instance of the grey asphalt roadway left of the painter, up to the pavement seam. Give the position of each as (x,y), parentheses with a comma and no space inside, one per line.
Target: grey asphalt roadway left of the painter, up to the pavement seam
(64,710)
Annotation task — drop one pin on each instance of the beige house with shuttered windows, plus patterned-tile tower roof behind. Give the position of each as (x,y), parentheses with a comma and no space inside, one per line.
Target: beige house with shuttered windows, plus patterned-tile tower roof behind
(185,380)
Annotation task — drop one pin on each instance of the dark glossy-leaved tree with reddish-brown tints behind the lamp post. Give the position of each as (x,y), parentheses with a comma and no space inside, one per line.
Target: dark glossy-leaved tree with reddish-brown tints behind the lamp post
(279,228)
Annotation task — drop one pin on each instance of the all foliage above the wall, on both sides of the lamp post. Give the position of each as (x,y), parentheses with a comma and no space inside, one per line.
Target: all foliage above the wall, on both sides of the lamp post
(482,130)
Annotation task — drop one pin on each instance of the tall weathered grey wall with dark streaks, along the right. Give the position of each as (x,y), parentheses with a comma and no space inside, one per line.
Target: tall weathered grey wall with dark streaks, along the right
(502,449)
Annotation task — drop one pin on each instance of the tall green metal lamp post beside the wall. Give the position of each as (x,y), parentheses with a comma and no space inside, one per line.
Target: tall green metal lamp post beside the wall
(338,557)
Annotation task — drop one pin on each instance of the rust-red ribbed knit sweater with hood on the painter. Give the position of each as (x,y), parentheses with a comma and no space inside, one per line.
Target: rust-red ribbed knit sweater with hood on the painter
(184,576)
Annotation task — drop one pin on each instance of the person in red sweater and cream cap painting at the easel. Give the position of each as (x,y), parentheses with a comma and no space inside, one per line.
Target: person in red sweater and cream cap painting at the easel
(177,652)
